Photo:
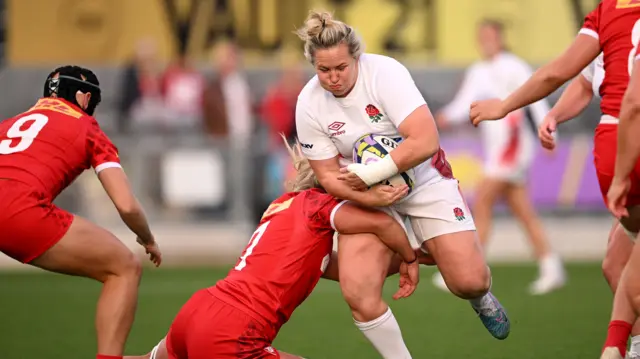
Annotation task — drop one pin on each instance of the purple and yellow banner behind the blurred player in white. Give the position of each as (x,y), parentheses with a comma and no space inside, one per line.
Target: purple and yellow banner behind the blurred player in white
(564,179)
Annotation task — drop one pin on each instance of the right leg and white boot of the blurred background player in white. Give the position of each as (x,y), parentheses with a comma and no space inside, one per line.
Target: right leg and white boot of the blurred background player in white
(551,270)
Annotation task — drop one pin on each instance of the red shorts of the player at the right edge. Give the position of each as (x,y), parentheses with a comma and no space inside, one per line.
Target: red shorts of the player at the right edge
(604,158)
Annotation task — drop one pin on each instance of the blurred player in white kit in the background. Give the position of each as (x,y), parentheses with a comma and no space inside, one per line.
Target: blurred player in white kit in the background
(509,149)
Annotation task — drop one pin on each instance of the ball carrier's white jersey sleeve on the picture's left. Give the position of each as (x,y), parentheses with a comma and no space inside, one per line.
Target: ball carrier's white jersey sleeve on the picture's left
(316,144)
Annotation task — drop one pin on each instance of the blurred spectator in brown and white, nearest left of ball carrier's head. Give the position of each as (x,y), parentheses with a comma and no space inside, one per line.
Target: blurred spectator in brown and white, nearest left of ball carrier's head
(227,100)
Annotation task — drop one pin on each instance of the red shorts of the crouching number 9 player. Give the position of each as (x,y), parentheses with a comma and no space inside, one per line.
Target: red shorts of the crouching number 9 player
(30,224)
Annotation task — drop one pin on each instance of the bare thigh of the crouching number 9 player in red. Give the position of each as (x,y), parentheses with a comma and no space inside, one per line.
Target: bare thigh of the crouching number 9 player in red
(90,251)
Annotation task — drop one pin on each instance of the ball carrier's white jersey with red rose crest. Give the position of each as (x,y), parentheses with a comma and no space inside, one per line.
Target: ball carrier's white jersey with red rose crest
(383,96)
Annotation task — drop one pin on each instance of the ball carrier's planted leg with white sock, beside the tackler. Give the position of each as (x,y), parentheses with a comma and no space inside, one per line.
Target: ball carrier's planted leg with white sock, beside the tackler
(363,262)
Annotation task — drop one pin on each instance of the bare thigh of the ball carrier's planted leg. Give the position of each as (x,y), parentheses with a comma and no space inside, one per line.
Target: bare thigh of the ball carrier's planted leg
(363,261)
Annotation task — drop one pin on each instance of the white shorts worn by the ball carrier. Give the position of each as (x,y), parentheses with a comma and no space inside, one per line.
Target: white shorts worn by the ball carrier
(434,210)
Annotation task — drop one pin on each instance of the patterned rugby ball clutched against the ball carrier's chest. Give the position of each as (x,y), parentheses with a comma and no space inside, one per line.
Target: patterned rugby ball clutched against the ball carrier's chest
(370,148)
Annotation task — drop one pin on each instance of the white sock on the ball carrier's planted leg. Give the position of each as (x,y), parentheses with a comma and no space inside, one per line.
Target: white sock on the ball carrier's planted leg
(384,333)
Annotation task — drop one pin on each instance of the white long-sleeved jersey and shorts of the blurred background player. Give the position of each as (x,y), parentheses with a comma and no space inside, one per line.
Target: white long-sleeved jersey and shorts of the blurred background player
(498,78)
